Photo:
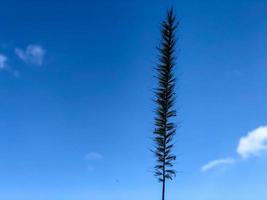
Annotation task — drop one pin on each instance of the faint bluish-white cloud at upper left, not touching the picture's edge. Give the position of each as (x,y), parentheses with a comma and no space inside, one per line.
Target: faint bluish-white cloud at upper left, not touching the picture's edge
(34,54)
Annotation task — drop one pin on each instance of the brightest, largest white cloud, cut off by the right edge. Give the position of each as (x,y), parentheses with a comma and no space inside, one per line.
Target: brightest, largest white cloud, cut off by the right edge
(254,143)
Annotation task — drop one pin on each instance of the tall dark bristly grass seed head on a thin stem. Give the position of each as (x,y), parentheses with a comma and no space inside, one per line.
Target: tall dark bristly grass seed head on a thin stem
(164,99)
